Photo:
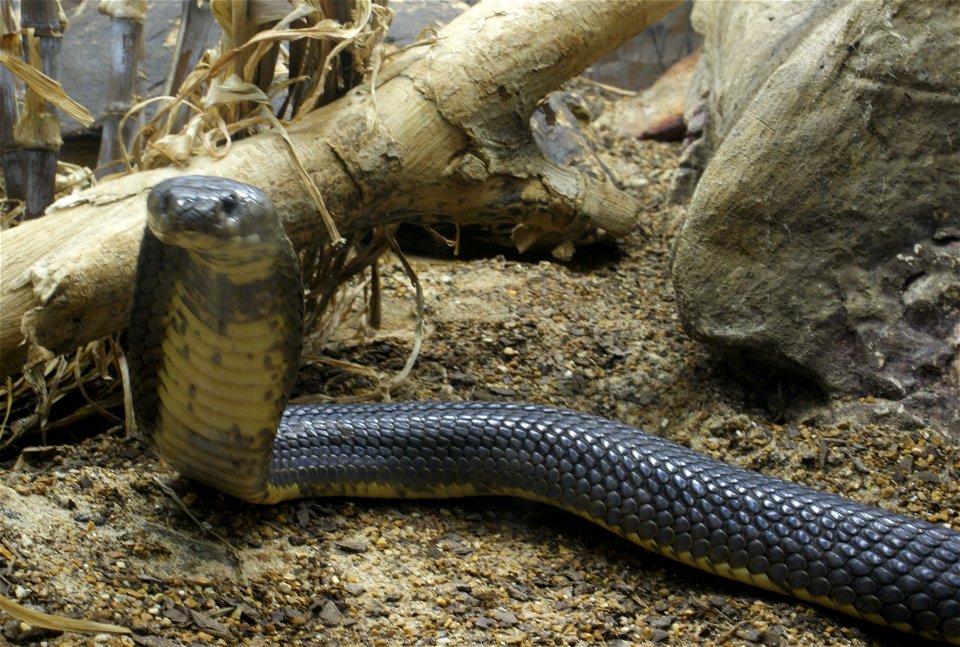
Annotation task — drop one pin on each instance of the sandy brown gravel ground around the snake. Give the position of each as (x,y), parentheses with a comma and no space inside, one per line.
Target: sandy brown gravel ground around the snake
(92,528)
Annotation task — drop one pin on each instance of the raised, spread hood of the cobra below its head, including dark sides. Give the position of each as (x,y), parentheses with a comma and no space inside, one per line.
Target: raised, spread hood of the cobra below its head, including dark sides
(226,352)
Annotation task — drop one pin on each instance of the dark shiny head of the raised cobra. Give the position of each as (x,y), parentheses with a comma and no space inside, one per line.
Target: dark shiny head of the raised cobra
(205,214)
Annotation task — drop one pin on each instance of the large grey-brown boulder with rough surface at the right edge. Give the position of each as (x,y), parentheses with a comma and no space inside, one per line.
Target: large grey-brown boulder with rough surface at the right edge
(824,234)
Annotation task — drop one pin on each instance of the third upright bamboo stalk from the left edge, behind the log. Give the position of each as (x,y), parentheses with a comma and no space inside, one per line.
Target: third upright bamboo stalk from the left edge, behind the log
(126,45)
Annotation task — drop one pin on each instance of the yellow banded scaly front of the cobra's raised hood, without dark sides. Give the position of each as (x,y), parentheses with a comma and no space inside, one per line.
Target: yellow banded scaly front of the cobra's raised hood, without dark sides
(219,400)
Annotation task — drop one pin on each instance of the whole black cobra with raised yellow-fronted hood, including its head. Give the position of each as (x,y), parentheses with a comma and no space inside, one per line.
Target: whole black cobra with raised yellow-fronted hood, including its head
(213,348)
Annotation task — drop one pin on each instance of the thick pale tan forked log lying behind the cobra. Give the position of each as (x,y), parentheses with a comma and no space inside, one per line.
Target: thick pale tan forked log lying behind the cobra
(449,140)
